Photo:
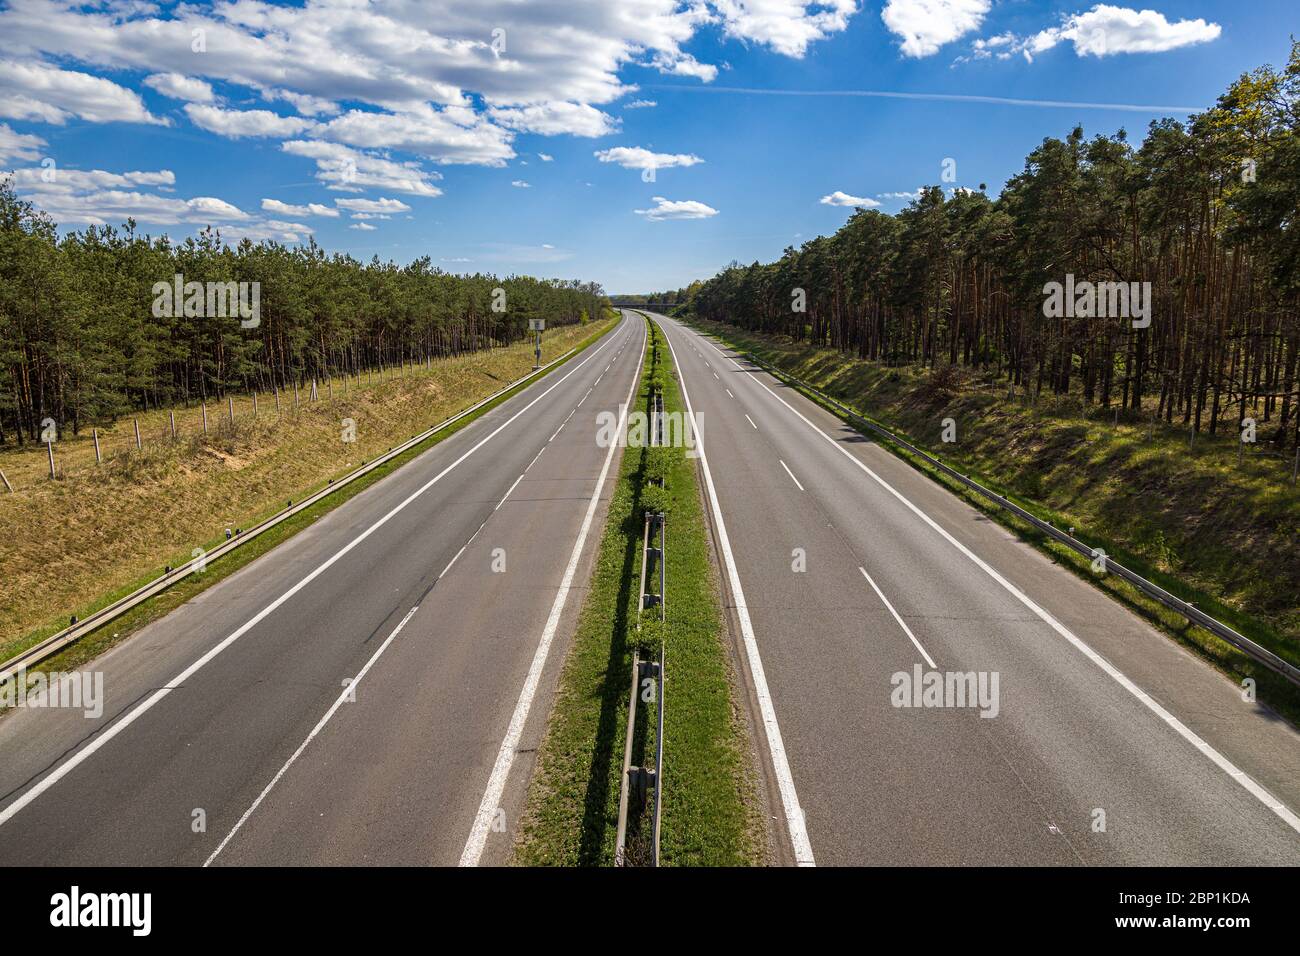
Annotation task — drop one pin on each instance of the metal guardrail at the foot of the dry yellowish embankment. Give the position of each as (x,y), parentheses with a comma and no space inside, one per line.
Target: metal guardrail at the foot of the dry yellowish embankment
(80,629)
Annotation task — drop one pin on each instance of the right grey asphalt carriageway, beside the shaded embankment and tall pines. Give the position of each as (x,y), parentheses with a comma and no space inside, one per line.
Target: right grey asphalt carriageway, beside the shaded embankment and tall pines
(1106,745)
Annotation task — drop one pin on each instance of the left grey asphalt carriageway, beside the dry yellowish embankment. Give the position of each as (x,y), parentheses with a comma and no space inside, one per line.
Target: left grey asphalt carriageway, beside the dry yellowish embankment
(370,693)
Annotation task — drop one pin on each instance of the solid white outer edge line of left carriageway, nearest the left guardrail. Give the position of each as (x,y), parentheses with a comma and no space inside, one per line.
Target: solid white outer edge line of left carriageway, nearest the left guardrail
(149,703)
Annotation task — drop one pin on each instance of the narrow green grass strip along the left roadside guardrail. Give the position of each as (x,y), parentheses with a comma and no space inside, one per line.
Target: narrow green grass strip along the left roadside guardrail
(101,641)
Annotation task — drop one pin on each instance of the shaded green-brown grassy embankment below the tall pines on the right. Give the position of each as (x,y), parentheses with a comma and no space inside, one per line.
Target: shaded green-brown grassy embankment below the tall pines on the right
(1216,531)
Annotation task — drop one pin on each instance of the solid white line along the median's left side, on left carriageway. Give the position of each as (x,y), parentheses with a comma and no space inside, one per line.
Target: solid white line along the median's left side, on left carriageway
(478,841)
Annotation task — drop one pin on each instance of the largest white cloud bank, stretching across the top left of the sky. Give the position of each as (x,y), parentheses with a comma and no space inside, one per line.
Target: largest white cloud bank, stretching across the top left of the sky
(396,55)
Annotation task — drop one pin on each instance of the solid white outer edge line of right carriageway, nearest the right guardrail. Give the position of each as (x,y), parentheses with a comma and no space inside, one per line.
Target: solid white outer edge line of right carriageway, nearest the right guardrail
(1191,737)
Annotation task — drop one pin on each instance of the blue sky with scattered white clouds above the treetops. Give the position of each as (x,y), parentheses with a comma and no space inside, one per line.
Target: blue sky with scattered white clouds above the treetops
(406,129)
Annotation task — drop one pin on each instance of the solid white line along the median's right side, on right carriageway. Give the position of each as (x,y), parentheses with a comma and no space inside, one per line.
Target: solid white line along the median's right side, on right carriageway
(775,745)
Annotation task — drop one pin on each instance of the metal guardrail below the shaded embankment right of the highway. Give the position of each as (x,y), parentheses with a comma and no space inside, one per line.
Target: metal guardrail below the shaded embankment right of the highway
(1194,615)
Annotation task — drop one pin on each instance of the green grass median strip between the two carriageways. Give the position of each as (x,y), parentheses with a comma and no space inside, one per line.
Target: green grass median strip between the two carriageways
(712,815)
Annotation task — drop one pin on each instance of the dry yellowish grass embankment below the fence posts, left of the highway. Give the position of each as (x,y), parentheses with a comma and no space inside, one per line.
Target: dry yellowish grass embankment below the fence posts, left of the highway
(76,544)
